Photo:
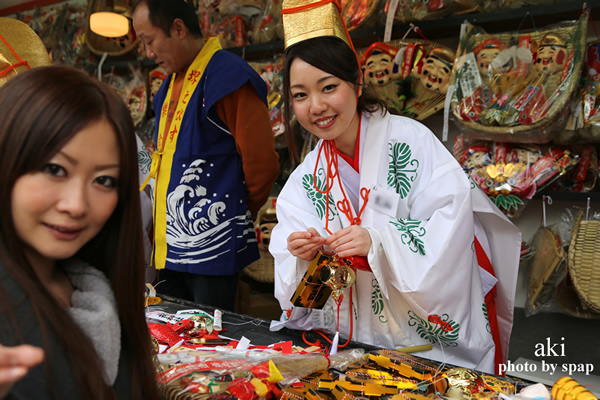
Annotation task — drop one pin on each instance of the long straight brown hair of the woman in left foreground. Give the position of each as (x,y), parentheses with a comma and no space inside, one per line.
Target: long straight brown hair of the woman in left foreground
(40,111)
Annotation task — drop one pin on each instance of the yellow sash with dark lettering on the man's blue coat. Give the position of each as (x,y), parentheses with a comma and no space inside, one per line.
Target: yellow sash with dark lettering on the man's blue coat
(162,158)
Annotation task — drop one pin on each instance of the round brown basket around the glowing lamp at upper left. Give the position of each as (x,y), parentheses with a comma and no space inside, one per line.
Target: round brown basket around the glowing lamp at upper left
(111,46)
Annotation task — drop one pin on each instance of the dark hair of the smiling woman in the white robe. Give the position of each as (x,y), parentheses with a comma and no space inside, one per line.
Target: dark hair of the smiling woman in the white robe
(332,55)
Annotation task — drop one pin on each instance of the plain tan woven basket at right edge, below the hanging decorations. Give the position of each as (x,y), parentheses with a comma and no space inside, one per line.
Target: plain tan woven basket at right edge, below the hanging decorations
(584,261)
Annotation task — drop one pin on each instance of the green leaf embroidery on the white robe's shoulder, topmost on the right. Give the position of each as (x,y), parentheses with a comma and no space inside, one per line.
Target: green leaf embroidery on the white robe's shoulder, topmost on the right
(402,169)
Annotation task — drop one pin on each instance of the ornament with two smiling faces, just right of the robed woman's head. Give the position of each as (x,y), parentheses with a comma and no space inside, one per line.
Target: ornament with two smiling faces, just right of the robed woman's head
(411,75)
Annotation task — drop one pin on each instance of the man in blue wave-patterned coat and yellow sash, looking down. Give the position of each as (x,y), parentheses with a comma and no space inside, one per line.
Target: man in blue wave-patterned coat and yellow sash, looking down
(215,159)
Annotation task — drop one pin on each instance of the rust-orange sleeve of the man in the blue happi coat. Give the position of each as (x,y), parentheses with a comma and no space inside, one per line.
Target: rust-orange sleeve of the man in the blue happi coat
(247,117)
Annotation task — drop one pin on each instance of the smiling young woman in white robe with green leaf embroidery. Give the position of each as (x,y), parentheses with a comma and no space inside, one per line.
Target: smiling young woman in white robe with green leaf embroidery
(404,204)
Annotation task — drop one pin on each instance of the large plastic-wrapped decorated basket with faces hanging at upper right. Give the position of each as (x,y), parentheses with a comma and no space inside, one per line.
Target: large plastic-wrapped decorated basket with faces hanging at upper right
(516,87)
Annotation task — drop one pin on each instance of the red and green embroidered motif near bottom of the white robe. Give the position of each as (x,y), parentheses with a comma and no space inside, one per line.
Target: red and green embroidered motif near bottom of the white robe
(435,329)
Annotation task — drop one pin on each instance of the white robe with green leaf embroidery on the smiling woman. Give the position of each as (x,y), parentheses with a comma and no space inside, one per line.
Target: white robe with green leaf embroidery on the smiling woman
(422,215)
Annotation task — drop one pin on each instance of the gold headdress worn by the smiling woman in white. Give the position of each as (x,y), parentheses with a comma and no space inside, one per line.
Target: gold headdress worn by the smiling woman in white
(307,19)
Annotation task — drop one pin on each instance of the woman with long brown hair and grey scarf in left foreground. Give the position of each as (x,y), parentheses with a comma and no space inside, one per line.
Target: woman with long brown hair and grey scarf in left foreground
(71,250)
